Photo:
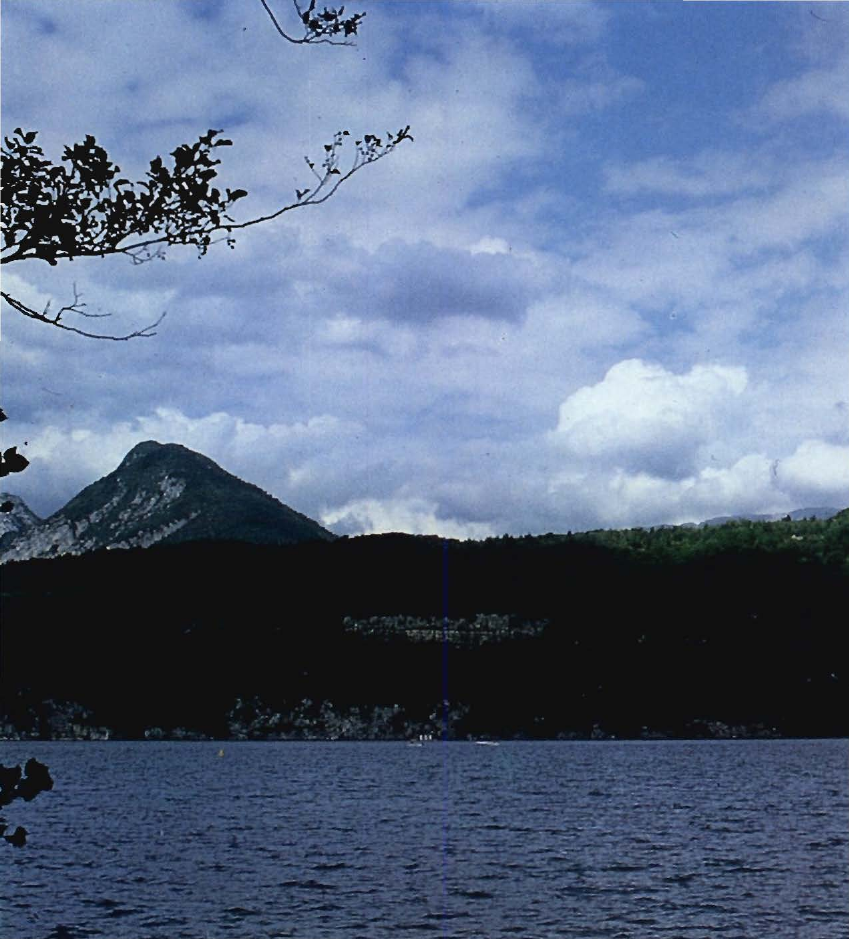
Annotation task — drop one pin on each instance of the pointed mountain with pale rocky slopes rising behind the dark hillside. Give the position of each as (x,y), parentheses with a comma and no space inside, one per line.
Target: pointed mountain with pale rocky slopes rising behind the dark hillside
(159,493)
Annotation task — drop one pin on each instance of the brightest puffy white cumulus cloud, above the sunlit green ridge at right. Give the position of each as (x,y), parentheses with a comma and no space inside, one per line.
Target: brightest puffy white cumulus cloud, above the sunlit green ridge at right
(642,416)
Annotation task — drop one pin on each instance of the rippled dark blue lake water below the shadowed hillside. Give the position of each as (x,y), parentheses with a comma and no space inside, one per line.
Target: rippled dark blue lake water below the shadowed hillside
(686,840)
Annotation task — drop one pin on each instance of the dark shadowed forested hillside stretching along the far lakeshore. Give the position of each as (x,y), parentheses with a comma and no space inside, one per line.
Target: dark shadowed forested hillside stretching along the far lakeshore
(681,632)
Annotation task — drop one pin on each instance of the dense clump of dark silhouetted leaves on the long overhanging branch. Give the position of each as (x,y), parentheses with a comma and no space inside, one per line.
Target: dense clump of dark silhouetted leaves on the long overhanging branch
(86,209)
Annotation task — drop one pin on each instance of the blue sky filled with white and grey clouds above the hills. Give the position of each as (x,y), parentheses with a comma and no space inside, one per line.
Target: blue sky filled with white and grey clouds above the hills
(605,286)
